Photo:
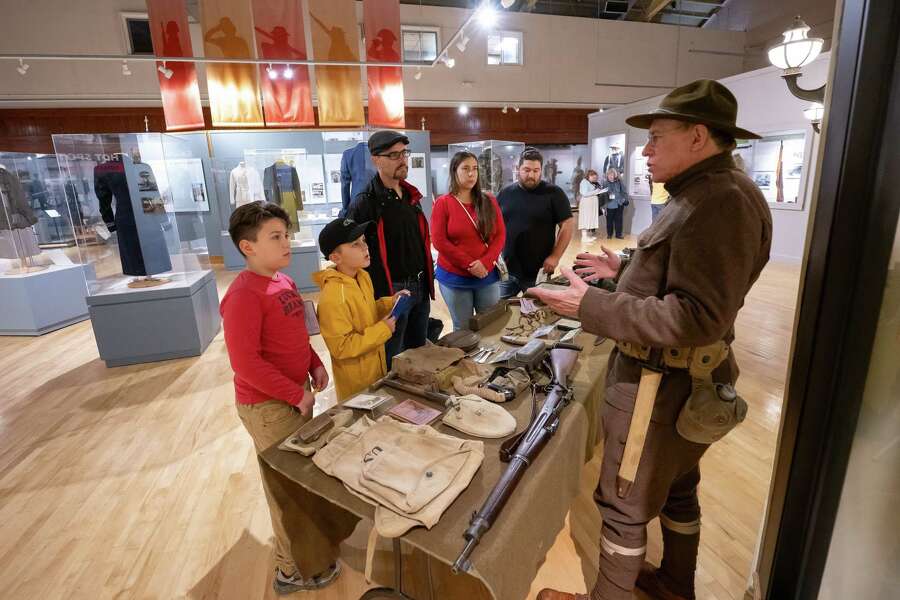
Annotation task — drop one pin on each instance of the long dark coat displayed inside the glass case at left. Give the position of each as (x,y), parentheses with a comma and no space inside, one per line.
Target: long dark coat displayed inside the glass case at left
(137,221)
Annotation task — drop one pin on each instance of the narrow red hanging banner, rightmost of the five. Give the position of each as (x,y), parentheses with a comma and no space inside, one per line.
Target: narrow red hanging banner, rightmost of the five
(382,26)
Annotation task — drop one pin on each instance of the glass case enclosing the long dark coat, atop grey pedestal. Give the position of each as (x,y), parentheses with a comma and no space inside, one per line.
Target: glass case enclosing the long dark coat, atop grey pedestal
(138,215)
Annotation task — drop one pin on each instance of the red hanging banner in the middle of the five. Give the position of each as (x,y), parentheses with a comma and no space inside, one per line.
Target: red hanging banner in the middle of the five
(287,97)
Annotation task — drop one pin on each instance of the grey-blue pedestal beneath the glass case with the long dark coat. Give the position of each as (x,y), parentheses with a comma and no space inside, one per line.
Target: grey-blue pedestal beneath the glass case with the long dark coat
(174,320)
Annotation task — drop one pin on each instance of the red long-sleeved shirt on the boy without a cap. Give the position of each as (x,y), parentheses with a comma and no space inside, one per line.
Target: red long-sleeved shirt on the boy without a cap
(265,333)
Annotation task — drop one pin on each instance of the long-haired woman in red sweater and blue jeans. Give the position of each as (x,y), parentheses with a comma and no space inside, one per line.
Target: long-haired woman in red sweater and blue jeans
(468,232)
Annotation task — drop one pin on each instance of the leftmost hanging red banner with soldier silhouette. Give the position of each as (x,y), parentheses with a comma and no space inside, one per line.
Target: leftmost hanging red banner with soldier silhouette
(177,80)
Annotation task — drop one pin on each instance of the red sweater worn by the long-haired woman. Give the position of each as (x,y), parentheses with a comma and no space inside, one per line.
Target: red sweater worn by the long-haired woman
(457,241)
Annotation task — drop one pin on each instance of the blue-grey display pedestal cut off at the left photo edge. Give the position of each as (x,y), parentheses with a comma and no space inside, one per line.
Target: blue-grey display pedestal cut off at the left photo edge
(40,302)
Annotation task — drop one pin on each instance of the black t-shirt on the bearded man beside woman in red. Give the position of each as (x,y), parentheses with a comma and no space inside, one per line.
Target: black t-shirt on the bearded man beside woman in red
(531,217)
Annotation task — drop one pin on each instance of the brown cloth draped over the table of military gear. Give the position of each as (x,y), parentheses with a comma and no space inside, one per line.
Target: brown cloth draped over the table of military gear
(510,554)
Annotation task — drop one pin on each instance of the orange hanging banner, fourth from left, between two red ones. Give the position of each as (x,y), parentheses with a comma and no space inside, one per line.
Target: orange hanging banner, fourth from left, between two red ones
(335,37)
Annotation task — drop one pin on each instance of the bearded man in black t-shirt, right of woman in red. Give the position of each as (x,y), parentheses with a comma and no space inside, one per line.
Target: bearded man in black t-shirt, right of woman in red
(532,210)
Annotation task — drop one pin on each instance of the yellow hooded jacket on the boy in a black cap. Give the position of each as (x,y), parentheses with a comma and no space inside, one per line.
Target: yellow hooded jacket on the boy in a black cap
(351,322)
